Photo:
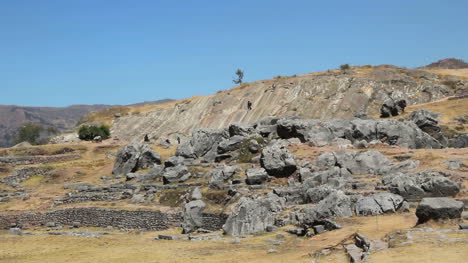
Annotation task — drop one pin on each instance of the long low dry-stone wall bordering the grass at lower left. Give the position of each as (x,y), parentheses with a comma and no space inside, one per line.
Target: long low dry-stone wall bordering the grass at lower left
(100,217)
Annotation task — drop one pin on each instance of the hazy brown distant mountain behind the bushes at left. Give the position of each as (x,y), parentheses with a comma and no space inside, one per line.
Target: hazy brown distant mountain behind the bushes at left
(62,118)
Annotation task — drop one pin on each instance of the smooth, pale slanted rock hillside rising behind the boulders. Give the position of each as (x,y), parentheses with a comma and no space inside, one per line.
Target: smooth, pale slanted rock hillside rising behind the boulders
(323,95)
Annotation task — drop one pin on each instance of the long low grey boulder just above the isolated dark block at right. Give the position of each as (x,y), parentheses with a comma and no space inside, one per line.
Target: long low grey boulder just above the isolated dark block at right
(419,185)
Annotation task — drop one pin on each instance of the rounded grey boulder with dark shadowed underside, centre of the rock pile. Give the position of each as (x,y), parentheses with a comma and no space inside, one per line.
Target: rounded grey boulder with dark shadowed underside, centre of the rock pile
(277,160)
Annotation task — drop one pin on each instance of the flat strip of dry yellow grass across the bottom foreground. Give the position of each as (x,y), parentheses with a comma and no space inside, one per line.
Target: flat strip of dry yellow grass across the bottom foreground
(138,247)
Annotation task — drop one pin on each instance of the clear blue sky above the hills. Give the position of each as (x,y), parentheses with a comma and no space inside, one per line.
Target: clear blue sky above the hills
(56,53)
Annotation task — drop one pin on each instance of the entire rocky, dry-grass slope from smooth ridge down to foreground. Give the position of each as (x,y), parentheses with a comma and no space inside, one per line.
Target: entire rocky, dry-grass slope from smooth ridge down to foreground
(311,174)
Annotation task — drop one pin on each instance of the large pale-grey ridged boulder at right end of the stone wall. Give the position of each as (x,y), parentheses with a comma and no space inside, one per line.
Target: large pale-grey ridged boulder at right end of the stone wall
(252,216)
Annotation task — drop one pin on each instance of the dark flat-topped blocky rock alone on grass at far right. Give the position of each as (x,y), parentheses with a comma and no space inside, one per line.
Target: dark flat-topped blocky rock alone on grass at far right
(438,208)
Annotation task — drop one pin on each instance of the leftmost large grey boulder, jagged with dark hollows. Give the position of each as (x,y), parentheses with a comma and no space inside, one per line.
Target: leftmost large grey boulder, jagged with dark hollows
(135,156)
